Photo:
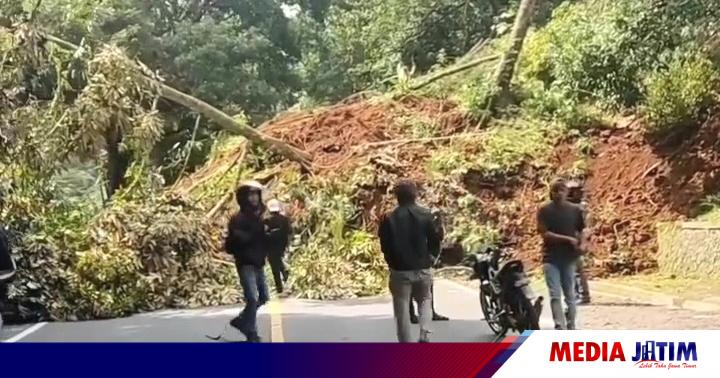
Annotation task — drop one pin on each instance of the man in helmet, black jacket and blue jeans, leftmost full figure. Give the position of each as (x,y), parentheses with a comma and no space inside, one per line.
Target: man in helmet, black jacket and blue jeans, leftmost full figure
(246,241)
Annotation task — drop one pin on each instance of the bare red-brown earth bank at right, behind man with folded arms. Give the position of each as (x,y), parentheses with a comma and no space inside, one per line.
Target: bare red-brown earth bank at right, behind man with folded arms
(631,186)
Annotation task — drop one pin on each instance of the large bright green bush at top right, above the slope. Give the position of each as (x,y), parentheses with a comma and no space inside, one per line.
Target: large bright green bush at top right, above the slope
(599,50)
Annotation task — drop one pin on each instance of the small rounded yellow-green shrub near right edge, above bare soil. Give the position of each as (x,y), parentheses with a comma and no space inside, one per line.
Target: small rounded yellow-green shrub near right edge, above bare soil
(675,96)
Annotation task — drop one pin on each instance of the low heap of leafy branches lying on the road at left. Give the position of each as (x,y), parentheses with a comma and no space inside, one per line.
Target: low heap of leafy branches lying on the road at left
(133,256)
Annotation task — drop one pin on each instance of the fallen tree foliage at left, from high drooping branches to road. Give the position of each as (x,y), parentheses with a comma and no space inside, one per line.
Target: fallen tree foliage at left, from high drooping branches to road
(77,260)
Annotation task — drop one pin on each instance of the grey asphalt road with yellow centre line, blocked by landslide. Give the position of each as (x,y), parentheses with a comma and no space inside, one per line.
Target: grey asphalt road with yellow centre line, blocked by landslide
(283,320)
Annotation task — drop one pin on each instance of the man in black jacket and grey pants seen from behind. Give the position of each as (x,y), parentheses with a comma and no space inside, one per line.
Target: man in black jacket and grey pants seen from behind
(408,238)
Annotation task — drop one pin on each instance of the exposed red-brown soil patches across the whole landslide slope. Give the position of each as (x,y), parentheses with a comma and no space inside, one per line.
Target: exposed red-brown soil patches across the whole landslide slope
(631,185)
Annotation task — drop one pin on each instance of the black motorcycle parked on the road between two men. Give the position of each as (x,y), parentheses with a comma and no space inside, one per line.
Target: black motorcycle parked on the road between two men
(506,298)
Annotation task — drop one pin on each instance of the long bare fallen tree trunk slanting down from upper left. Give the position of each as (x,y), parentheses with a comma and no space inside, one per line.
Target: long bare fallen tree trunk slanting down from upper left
(214,114)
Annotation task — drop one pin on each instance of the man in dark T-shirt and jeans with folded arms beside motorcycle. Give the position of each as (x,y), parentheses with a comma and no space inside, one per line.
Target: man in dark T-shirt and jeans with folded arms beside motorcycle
(561,225)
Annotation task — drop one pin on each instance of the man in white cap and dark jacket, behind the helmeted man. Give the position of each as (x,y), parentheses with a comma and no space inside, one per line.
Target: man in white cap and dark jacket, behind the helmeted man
(279,231)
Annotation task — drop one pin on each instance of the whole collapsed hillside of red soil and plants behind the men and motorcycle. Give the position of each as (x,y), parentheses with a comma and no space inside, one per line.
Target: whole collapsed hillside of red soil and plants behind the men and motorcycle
(362,147)
